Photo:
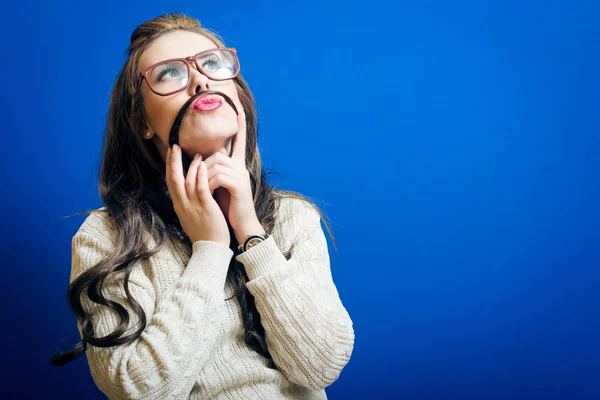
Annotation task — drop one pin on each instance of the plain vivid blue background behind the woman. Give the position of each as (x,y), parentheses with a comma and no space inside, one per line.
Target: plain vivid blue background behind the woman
(453,145)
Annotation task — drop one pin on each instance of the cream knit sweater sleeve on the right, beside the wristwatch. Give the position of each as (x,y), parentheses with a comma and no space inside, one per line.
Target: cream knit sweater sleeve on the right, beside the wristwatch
(308,331)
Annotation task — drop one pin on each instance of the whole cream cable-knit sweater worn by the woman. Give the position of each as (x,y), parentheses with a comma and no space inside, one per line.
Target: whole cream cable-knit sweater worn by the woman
(193,345)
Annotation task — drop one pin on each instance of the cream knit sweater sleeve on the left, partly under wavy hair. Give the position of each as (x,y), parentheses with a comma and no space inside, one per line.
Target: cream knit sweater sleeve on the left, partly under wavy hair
(165,360)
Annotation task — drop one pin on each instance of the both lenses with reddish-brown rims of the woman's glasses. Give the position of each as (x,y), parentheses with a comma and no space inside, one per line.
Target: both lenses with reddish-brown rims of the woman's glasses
(173,75)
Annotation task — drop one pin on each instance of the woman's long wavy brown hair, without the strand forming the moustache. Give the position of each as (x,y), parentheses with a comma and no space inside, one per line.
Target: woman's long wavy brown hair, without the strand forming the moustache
(130,185)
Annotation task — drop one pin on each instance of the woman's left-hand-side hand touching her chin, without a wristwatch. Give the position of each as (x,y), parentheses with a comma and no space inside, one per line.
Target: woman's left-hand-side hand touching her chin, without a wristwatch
(198,212)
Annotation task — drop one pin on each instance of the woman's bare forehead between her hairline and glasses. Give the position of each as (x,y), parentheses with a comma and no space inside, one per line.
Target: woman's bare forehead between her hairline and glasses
(176,44)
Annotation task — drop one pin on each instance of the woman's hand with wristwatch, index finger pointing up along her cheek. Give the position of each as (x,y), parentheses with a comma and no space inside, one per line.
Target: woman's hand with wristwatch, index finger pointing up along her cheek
(229,180)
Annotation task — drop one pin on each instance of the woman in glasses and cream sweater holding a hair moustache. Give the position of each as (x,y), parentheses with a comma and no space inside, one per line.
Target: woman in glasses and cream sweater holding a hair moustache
(197,279)
